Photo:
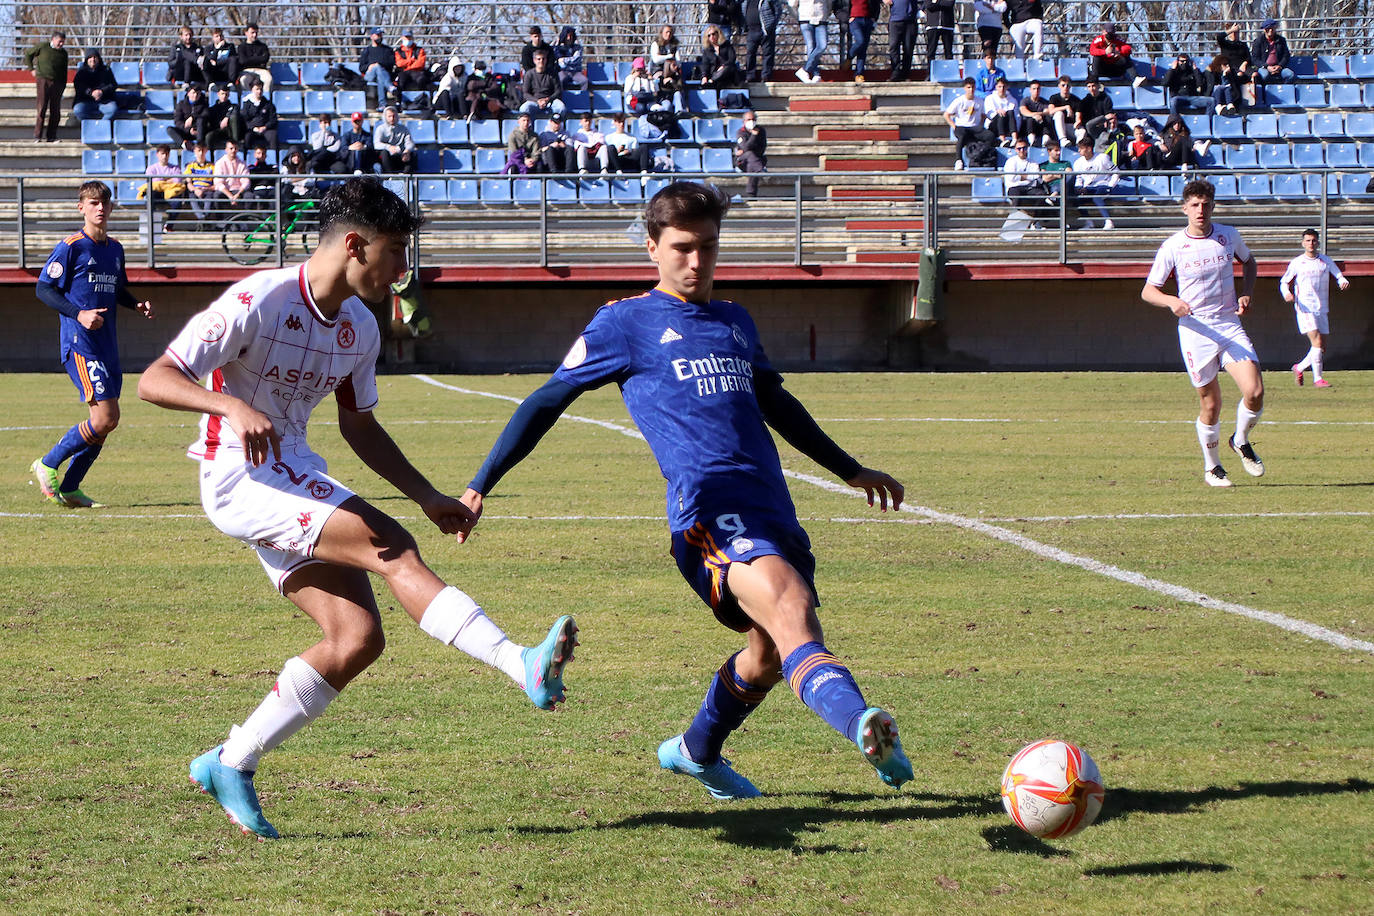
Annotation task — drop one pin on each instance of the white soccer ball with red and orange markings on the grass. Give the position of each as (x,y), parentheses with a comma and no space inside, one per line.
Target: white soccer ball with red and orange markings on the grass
(1052,789)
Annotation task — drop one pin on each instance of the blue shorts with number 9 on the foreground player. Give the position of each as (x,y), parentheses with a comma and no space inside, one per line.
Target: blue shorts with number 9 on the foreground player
(706,564)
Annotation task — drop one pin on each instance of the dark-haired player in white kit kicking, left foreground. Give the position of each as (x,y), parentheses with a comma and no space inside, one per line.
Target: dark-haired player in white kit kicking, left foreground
(275,347)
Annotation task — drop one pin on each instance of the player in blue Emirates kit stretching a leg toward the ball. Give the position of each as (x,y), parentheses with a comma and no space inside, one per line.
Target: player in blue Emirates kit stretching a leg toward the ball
(699,385)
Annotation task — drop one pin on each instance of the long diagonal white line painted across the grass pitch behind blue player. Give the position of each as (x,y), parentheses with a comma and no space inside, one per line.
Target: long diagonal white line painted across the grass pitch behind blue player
(1178,593)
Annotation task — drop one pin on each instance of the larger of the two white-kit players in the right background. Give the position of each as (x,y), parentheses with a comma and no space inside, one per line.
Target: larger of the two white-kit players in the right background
(1211,337)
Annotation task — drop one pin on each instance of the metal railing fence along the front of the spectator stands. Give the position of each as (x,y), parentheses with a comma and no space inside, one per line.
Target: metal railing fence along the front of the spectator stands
(561,222)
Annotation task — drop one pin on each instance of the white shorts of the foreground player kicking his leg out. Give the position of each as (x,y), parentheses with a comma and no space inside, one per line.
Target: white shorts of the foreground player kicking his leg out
(277,509)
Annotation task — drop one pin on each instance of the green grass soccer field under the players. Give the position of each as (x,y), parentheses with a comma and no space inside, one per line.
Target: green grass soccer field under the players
(1239,757)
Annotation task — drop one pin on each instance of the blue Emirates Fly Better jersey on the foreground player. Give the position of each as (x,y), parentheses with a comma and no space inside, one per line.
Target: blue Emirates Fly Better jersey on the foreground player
(688,374)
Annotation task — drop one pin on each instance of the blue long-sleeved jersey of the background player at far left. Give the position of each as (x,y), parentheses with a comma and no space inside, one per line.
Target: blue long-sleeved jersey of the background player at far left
(90,275)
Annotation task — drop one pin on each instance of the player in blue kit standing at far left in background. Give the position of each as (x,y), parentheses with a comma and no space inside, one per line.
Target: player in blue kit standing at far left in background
(85,281)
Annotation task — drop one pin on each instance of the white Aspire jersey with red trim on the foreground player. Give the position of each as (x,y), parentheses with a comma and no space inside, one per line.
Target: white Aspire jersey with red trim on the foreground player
(266,343)
